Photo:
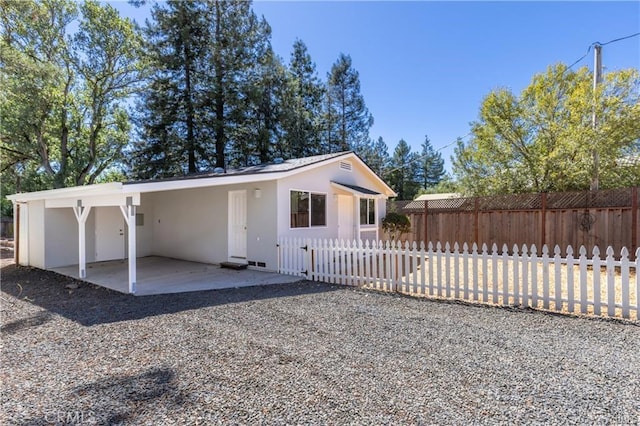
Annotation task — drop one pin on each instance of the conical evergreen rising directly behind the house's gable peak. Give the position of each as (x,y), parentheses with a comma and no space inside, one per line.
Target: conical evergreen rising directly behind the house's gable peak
(347,118)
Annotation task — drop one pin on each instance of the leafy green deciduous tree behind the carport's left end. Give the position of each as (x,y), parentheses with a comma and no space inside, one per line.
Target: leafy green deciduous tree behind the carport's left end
(64,115)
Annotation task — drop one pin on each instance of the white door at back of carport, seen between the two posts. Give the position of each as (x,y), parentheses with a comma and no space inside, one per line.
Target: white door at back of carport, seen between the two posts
(109,233)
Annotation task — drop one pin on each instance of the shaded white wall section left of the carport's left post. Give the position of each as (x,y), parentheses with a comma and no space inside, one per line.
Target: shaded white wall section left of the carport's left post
(61,242)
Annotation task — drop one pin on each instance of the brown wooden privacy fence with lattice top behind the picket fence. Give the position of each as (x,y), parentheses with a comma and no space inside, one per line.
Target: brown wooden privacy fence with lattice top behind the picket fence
(589,218)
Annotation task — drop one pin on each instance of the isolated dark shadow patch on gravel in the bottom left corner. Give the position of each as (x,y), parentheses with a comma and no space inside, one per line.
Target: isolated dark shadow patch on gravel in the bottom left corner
(114,400)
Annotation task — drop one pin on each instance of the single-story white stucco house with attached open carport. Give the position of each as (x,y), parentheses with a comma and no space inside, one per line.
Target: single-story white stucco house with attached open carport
(233,215)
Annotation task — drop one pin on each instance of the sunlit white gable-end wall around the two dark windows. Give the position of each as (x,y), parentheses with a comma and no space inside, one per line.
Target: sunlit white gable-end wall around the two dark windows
(319,180)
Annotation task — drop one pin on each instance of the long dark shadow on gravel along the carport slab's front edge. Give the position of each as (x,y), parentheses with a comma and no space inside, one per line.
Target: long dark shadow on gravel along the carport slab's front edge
(89,304)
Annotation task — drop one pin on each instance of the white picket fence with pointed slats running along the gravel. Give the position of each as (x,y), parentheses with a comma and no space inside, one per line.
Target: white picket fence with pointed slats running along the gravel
(523,277)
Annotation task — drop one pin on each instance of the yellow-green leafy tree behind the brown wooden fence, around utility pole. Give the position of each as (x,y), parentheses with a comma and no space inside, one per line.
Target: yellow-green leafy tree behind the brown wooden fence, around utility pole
(544,140)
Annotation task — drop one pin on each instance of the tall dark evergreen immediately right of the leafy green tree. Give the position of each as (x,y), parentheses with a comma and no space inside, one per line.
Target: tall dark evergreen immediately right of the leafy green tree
(173,131)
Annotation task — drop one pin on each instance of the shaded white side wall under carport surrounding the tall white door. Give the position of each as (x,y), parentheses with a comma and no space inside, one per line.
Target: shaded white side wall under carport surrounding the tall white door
(192,224)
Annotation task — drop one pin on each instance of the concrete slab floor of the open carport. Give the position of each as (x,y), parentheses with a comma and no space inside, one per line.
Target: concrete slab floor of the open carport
(161,275)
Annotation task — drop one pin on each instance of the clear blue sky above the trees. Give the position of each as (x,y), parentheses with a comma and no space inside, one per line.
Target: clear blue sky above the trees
(426,66)
